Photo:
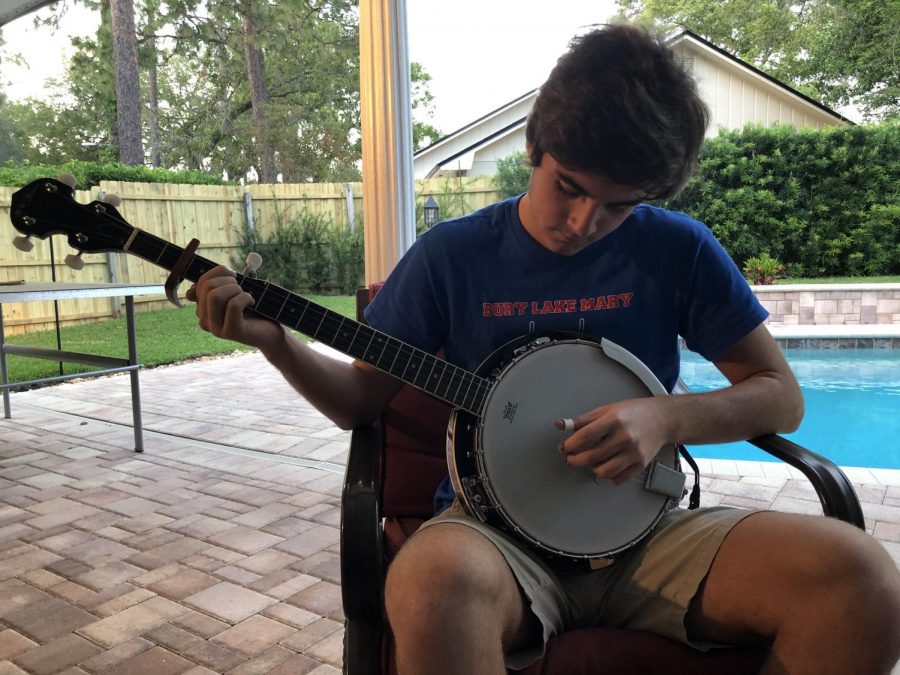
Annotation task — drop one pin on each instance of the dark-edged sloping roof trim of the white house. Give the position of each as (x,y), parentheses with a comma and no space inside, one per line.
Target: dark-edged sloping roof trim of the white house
(518,123)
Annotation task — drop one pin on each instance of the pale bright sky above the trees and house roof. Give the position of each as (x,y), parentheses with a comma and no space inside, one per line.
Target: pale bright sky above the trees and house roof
(480,54)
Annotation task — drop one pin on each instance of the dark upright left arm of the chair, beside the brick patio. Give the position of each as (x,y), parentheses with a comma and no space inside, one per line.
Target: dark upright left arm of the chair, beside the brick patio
(362,561)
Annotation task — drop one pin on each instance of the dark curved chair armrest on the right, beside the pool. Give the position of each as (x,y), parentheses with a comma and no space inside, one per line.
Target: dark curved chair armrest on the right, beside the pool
(834,489)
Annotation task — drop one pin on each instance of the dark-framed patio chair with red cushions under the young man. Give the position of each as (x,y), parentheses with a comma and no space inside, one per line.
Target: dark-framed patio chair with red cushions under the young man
(393,469)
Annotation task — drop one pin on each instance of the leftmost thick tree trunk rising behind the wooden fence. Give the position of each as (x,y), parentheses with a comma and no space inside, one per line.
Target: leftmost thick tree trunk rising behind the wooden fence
(128,86)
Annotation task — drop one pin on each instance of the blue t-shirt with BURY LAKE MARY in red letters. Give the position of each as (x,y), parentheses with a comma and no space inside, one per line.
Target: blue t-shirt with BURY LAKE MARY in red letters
(472,284)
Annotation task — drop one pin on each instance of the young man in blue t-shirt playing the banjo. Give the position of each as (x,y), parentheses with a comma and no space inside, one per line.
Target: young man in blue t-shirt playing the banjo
(616,124)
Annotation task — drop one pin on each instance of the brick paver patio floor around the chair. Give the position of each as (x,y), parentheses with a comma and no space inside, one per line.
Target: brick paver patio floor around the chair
(215,551)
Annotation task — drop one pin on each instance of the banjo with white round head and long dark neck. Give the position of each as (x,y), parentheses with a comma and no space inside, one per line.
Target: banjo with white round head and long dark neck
(501,440)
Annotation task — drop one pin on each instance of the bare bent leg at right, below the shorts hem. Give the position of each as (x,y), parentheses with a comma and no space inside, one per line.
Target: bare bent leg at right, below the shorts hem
(825,593)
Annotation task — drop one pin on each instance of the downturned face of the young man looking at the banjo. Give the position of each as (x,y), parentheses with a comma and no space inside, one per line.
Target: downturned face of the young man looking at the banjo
(566,210)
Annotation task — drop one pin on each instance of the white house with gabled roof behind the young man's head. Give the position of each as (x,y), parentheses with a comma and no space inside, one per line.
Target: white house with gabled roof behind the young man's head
(737,94)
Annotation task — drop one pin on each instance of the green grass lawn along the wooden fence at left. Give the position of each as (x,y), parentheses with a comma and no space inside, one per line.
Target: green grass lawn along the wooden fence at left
(163,336)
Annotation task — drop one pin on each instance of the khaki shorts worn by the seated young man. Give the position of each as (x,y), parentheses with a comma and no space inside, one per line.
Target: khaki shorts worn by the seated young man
(648,587)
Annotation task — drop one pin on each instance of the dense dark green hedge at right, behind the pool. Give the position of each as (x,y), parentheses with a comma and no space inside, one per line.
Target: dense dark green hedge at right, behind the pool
(824,203)
